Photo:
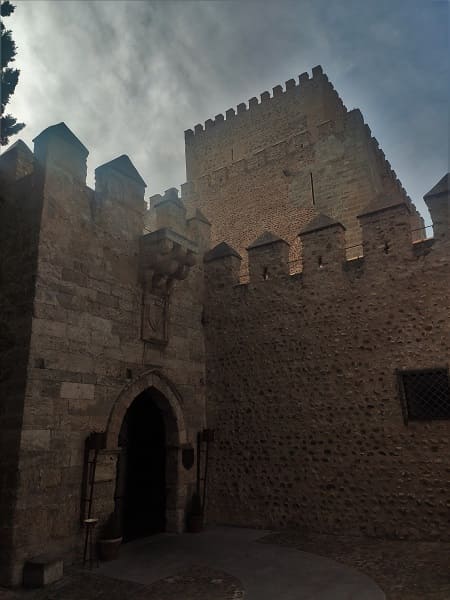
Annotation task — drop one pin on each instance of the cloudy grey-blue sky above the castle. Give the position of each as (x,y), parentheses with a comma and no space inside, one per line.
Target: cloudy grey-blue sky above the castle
(128,77)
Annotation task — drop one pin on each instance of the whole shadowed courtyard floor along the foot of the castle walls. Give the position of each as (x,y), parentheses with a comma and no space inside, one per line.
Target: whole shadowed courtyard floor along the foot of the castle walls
(223,563)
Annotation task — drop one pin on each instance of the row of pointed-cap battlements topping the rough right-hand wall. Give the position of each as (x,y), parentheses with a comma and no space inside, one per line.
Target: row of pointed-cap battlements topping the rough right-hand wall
(387,245)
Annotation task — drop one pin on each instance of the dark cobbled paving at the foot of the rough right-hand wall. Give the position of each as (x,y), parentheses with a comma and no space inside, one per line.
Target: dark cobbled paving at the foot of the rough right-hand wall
(405,570)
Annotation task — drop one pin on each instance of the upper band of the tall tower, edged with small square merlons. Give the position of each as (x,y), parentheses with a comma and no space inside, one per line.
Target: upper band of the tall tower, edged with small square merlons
(307,104)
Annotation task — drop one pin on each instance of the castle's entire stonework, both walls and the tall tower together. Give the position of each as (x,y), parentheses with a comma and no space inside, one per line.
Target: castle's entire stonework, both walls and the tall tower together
(298,372)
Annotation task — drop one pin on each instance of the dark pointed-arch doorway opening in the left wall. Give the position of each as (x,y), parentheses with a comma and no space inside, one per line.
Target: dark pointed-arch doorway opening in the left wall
(141,493)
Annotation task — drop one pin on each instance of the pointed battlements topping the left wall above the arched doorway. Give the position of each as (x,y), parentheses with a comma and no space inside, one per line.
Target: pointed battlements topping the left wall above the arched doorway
(117,201)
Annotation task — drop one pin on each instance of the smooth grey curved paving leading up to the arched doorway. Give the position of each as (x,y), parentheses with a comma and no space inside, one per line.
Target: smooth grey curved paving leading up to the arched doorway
(266,571)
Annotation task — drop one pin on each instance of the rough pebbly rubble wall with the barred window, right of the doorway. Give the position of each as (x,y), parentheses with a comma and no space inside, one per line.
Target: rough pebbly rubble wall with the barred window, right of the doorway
(302,383)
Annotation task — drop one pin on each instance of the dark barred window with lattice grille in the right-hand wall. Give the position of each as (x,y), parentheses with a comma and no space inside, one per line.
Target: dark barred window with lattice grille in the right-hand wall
(425,394)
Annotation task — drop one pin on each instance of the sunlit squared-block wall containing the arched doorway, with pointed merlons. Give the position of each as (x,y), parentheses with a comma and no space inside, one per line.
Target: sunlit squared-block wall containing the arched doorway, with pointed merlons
(84,359)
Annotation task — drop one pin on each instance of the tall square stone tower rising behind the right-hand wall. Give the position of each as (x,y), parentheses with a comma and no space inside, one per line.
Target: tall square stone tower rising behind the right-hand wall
(273,153)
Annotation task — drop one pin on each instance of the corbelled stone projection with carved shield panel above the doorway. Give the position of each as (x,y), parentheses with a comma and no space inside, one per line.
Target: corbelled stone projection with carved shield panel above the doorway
(165,256)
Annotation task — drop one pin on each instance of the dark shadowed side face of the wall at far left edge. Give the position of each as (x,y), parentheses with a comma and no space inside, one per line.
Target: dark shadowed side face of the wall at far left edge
(19,227)
